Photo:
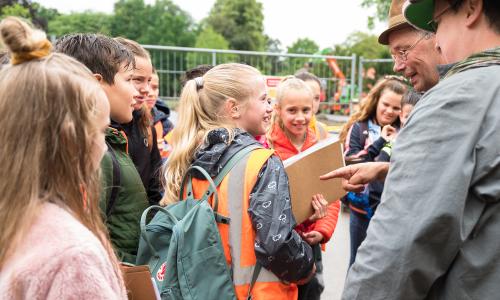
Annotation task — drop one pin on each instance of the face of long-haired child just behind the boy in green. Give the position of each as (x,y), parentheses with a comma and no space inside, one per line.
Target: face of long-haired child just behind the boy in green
(142,77)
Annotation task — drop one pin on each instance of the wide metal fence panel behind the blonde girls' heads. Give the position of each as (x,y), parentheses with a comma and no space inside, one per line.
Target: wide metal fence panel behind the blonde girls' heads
(172,62)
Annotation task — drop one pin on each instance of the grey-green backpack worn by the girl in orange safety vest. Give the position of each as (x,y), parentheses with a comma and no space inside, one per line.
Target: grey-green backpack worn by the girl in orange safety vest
(182,244)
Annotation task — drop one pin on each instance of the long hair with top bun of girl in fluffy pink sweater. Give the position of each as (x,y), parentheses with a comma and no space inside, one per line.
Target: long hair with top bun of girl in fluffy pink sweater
(49,162)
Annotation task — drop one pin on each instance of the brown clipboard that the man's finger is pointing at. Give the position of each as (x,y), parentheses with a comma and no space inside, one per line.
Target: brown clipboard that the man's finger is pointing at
(303,172)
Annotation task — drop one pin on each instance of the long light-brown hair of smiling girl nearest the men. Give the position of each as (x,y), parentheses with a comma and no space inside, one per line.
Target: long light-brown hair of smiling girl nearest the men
(368,110)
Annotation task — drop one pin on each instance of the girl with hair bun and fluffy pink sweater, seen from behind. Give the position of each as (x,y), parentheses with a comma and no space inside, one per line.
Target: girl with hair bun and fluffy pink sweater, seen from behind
(53,244)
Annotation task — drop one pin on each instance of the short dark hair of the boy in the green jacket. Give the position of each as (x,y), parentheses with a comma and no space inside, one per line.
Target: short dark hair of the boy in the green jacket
(101,54)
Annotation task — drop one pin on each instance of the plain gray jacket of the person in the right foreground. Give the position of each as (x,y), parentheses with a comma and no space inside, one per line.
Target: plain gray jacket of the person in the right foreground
(436,233)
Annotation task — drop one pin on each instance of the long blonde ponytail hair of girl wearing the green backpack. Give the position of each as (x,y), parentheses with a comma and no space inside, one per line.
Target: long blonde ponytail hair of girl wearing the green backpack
(201,111)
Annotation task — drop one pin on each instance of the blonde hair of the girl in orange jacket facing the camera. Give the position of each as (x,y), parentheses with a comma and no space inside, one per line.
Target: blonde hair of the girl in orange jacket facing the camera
(287,85)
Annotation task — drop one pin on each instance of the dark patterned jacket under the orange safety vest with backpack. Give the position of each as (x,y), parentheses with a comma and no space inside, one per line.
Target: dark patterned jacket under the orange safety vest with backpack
(292,256)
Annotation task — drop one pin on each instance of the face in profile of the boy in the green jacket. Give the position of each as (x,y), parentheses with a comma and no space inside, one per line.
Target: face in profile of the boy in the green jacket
(121,95)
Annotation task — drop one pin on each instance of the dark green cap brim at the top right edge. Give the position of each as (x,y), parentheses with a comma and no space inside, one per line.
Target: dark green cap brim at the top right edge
(419,13)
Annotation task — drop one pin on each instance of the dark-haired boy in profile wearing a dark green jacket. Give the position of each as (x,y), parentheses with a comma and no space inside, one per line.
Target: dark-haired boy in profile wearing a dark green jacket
(124,198)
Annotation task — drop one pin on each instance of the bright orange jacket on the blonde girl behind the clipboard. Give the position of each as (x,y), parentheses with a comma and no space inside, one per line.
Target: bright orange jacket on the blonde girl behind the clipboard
(285,149)
